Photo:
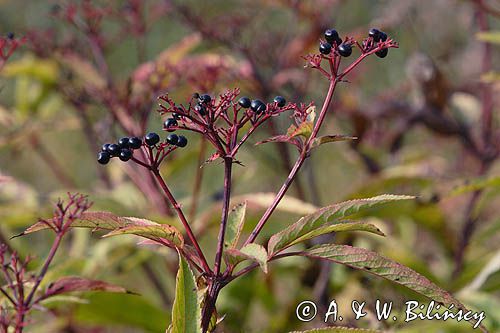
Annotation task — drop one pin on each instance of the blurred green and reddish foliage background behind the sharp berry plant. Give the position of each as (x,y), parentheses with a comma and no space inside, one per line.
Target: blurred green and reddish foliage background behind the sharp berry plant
(418,115)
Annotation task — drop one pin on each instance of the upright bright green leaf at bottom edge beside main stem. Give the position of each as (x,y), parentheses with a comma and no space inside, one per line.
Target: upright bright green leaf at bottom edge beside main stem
(186,312)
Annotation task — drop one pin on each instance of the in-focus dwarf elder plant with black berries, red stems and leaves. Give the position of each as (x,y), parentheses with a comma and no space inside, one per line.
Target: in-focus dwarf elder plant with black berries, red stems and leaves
(227,121)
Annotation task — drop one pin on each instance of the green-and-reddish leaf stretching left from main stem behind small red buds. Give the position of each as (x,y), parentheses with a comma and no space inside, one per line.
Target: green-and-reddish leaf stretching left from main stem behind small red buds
(119,225)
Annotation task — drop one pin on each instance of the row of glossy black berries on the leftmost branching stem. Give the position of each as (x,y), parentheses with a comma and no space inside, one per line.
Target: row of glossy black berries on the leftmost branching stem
(124,148)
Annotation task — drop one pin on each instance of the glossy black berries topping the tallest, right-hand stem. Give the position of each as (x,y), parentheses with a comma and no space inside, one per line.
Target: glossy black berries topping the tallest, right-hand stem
(333,42)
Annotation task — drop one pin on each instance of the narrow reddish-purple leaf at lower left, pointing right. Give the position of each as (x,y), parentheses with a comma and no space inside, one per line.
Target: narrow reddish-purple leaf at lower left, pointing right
(70,284)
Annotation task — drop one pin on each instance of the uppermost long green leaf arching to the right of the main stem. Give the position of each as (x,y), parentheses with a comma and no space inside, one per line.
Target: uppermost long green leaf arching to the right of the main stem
(329,214)
